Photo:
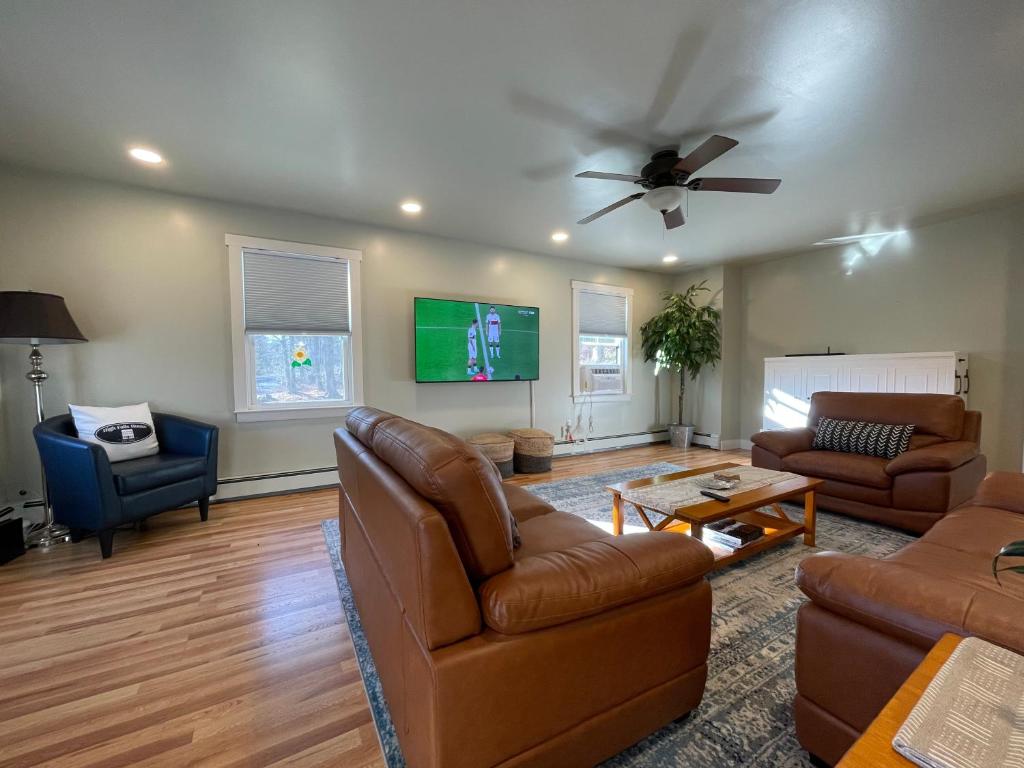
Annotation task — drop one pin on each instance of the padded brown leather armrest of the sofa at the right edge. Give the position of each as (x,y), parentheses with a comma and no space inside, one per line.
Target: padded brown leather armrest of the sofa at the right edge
(910,605)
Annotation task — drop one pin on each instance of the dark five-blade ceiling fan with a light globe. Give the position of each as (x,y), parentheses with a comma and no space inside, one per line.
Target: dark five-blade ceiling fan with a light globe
(665,178)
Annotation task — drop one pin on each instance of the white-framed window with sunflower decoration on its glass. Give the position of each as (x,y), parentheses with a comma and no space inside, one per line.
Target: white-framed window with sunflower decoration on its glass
(295,316)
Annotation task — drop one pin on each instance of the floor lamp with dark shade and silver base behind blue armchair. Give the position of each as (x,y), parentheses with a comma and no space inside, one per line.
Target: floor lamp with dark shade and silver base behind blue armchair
(36,319)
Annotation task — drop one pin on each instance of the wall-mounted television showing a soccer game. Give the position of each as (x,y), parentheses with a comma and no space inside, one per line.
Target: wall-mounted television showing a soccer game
(477,342)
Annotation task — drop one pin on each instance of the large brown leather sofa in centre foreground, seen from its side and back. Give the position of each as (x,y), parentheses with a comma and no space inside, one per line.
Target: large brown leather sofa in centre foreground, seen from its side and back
(561,653)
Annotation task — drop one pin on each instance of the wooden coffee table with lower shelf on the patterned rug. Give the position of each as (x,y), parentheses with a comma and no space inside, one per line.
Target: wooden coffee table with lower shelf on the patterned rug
(746,507)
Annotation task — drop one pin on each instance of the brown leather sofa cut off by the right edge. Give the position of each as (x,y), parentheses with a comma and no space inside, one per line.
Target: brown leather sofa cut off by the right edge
(870,623)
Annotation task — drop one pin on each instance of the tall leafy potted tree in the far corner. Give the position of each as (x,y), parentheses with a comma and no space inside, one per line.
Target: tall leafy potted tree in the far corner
(684,338)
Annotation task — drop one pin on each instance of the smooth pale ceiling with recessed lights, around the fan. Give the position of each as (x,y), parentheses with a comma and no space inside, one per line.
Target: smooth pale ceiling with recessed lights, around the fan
(873,113)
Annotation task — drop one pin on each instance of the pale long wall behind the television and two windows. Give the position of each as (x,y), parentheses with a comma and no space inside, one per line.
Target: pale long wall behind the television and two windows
(145,275)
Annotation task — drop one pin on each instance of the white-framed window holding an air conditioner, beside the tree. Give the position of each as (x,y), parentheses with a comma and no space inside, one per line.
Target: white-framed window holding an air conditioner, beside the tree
(602,317)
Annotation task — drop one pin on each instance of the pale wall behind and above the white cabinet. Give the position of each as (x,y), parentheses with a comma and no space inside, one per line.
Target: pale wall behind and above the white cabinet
(951,286)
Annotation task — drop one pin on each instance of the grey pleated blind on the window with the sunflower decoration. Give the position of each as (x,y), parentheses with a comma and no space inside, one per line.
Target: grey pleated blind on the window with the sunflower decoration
(290,292)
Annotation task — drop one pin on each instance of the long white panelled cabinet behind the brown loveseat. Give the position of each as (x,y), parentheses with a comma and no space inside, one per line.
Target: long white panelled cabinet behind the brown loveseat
(790,382)
